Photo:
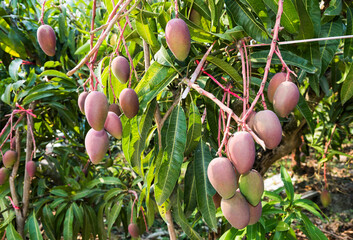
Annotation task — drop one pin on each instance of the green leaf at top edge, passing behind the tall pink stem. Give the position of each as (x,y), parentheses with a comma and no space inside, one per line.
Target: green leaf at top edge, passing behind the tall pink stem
(290,18)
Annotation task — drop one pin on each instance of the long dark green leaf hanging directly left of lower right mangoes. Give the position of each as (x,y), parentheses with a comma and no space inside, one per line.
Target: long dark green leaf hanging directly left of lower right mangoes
(204,189)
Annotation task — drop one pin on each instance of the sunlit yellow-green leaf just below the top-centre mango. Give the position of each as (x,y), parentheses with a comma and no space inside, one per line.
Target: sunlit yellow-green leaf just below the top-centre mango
(153,82)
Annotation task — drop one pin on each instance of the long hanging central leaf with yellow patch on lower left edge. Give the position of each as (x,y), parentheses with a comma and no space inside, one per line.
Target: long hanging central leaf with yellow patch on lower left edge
(169,170)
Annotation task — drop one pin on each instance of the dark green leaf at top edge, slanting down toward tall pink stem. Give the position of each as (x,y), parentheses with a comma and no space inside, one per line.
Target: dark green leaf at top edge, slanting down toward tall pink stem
(252,25)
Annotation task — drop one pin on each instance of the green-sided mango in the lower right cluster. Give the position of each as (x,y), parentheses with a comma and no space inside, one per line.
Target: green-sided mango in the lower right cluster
(251,185)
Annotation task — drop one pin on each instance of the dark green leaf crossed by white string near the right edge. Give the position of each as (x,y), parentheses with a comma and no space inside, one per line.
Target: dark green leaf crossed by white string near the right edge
(328,48)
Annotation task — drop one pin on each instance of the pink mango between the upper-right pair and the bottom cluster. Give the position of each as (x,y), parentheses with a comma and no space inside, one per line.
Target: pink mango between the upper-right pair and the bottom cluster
(268,128)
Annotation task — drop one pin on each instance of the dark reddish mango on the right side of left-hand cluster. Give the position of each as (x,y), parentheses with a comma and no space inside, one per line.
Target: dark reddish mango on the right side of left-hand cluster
(129,102)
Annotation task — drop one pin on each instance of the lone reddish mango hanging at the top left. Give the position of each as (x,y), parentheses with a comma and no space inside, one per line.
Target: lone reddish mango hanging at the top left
(47,39)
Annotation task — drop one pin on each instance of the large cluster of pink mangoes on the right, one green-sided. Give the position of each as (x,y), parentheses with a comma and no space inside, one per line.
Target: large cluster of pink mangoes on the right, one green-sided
(243,207)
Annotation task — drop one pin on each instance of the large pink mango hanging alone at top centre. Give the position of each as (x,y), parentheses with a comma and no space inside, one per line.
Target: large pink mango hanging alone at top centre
(178,38)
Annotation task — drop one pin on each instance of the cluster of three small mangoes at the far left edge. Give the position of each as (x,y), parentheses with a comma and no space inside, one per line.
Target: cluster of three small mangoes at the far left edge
(9,160)
